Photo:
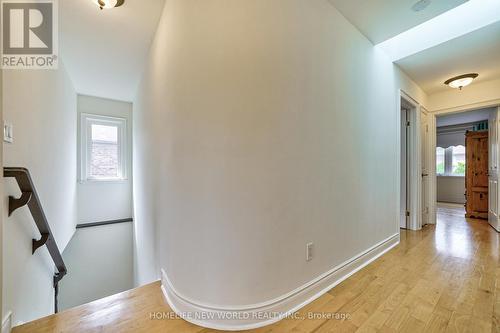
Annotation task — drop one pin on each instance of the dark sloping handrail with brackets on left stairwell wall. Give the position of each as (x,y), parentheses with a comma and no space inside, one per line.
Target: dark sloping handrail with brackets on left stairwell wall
(30,197)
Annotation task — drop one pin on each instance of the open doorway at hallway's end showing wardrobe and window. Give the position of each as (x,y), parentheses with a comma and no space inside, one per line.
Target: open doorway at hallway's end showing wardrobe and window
(466,162)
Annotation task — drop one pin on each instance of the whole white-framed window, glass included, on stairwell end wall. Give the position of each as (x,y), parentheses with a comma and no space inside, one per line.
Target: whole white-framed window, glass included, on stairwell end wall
(103,154)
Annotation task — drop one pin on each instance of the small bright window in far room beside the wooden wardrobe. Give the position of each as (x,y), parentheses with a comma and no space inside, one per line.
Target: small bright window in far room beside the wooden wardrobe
(450,161)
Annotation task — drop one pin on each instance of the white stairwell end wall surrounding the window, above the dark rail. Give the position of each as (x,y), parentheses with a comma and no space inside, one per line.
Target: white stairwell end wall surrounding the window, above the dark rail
(104,201)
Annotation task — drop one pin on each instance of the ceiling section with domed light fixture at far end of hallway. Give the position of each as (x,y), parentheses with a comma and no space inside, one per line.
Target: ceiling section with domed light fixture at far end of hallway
(476,52)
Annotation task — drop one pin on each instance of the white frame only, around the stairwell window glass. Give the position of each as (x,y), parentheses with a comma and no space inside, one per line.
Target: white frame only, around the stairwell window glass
(86,122)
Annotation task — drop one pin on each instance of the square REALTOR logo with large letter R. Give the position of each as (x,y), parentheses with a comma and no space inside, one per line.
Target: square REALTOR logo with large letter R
(29,34)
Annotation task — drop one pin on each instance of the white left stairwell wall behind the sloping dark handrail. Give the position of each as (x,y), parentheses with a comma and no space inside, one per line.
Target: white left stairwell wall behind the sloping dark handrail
(42,107)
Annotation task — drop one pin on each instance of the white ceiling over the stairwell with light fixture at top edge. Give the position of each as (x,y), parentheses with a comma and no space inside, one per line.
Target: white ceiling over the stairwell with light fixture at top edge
(105,51)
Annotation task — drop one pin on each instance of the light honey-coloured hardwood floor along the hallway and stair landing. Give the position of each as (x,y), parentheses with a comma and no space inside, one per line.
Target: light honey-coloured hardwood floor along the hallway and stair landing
(445,278)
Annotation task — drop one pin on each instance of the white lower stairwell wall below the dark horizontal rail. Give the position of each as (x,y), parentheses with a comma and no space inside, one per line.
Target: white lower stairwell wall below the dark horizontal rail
(99,260)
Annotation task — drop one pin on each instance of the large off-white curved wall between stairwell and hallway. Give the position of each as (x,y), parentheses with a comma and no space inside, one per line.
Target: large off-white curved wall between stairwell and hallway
(261,126)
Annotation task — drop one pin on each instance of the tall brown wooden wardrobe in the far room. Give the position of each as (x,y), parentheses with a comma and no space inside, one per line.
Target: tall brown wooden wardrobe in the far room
(476,176)
